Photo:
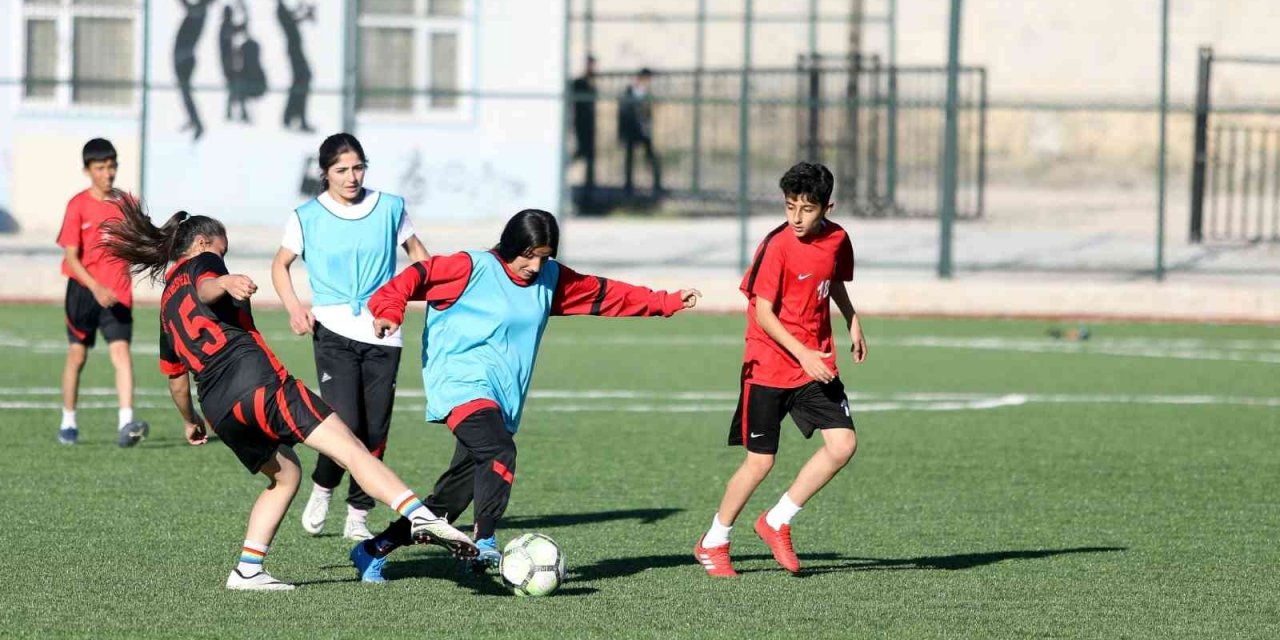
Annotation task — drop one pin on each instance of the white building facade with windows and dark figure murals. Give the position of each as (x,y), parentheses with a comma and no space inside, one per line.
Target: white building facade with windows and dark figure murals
(458,103)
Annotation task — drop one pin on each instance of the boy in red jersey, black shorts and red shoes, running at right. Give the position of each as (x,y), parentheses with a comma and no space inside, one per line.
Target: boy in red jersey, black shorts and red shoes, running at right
(789,365)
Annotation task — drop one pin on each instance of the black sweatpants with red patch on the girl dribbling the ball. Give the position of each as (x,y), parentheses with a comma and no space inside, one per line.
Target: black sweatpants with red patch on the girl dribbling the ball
(483,469)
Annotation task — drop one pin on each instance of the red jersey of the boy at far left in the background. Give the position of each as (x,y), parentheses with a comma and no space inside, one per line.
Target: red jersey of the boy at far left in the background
(83,230)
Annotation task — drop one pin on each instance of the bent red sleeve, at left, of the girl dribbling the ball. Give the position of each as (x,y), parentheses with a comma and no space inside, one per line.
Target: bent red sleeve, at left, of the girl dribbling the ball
(438,280)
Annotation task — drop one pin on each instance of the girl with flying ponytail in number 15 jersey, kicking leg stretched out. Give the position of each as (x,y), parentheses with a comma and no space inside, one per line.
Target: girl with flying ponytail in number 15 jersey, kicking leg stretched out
(248,397)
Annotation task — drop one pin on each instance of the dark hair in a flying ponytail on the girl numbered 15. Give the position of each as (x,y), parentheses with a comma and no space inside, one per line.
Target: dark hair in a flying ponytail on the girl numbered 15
(149,249)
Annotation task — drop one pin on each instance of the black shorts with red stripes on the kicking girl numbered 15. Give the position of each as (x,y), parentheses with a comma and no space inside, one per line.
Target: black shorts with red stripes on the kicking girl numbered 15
(282,413)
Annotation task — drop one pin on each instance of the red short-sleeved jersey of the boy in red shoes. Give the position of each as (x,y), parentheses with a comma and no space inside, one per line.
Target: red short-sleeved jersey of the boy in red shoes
(797,276)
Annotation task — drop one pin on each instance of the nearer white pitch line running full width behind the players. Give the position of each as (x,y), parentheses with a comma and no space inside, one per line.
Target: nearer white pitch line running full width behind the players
(700,403)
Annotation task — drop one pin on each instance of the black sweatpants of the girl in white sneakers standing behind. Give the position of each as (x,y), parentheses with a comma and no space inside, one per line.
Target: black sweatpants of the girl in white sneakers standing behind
(359,382)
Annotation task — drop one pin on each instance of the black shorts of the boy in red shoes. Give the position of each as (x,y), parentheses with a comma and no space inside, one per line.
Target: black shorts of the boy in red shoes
(758,422)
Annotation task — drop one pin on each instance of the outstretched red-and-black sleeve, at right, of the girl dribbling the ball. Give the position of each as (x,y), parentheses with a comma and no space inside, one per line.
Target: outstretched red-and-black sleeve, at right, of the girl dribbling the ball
(591,295)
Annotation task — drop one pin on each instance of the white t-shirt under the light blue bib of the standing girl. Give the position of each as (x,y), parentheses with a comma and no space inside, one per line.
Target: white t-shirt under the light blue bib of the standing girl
(339,318)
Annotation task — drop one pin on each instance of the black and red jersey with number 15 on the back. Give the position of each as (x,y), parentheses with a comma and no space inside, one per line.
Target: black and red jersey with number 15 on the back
(217,344)
